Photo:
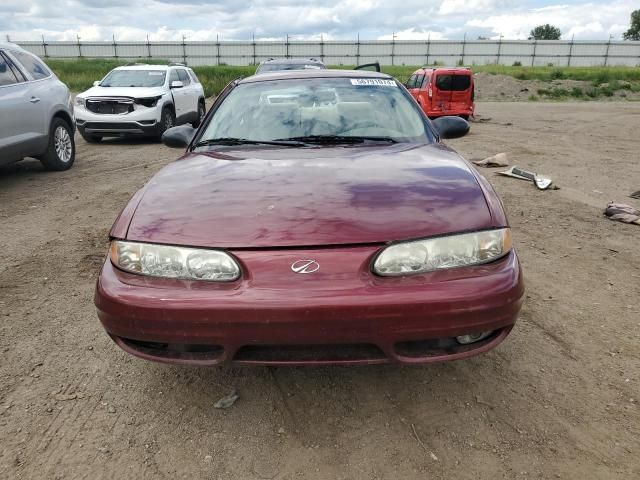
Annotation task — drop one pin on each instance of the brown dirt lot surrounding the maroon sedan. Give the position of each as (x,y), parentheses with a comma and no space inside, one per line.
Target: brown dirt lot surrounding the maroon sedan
(558,399)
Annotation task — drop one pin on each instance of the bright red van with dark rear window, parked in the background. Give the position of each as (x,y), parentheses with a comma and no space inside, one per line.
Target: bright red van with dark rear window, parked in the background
(443,91)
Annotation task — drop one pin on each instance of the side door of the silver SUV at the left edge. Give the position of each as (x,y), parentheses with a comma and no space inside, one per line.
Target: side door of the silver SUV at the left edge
(20,132)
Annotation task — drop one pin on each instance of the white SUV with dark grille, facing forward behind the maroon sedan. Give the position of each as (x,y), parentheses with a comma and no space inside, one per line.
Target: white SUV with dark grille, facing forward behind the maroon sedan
(140,100)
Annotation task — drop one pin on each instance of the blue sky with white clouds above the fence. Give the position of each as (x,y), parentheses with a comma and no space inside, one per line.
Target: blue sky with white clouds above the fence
(308,19)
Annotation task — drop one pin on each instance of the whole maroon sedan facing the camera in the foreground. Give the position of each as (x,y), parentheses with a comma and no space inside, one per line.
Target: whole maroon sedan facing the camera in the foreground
(315,218)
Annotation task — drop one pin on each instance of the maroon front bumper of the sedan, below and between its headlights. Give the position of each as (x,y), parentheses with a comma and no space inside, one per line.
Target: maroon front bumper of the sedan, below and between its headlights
(334,317)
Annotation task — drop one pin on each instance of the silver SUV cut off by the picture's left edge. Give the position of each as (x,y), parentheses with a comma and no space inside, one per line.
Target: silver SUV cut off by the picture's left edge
(36,111)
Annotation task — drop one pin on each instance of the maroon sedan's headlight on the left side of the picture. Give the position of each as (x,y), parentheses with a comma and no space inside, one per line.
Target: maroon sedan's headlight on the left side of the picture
(174,262)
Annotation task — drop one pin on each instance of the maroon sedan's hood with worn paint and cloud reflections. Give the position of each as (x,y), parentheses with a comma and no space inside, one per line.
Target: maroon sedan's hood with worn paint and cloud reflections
(275,197)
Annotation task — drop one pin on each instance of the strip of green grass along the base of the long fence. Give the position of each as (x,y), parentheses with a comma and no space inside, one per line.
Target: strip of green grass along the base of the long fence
(80,75)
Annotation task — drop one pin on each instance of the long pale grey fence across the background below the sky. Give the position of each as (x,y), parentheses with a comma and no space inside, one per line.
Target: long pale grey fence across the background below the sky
(392,52)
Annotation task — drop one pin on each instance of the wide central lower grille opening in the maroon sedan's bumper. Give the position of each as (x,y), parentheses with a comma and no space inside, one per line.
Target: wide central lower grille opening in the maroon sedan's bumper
(309,353)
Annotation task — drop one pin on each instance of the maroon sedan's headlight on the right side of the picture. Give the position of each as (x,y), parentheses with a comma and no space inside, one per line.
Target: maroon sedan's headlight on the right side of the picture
(443,252)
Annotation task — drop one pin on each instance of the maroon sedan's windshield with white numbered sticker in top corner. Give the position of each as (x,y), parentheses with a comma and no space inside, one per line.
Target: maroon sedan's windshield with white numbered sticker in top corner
(318,107)
